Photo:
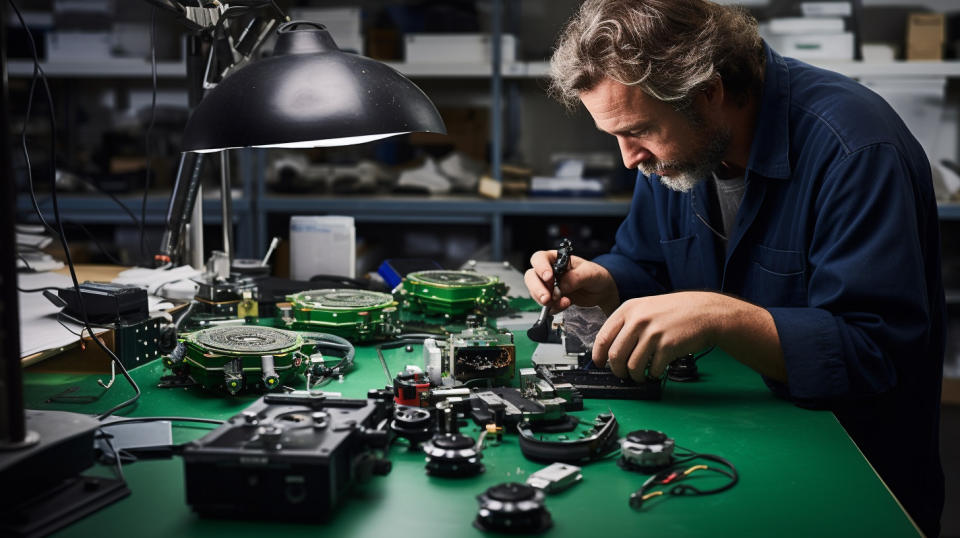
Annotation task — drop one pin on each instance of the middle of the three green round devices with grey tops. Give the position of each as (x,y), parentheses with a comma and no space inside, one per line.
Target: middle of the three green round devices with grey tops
(357,315)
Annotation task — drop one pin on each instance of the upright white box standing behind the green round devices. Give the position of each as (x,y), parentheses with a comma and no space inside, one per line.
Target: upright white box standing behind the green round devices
(322,245)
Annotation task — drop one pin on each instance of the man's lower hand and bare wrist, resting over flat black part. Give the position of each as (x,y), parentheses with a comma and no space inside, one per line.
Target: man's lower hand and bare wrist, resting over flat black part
(649,332)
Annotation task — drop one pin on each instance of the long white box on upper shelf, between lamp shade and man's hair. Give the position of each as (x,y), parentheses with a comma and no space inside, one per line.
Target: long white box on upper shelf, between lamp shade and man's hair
(457,48)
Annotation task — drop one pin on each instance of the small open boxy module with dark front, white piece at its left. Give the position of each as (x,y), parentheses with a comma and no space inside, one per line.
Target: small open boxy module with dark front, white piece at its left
(475,353)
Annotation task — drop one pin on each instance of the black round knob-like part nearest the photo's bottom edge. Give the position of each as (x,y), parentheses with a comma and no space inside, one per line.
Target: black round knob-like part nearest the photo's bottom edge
(512,508)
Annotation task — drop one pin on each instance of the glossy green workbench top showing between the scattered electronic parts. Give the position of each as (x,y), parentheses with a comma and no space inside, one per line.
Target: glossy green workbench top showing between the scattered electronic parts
(800,474)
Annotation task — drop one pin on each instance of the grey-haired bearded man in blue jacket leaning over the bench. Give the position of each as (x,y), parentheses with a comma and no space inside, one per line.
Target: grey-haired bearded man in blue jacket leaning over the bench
(782,213)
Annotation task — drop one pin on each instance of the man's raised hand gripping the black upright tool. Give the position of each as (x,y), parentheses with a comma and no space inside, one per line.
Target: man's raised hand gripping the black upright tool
(584,284)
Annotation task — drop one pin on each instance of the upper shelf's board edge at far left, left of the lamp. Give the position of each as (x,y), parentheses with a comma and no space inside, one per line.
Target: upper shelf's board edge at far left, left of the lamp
(112,68)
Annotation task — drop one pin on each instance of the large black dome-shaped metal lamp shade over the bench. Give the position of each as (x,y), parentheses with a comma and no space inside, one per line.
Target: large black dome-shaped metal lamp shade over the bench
(309,94)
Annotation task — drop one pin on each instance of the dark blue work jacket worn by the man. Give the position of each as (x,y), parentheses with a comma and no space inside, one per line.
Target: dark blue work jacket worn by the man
(837,237)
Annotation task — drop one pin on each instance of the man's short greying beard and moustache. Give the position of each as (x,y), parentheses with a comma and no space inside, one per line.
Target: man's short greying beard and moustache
(705,156)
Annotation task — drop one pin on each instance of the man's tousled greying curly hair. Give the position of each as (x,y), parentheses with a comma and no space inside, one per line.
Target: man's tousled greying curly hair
(671,49)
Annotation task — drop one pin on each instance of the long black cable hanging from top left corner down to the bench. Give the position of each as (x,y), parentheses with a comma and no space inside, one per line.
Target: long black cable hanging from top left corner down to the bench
(56,212)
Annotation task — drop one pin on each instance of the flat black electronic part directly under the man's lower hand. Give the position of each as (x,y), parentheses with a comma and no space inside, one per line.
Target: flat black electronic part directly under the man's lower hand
(603,383)
